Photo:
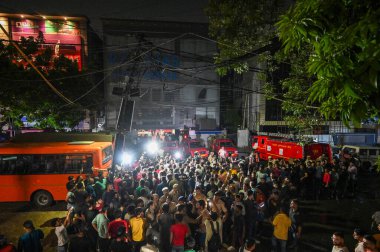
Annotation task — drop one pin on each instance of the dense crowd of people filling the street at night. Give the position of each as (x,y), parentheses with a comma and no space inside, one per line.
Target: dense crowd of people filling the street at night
(199,204)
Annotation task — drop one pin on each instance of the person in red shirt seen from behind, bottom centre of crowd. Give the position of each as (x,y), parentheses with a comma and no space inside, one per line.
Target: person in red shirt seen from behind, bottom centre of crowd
(178,232)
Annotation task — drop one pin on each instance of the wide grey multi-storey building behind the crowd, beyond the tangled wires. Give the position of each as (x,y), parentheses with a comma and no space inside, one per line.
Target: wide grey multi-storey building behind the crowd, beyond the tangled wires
(171,64)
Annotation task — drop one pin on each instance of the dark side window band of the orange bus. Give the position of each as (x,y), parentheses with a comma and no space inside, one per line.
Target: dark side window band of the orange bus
(45,164)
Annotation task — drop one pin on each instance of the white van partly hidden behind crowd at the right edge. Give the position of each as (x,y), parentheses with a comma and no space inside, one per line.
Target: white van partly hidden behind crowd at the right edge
(367,154)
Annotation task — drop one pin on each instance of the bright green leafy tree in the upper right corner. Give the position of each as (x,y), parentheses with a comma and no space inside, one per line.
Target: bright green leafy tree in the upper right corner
(341,41)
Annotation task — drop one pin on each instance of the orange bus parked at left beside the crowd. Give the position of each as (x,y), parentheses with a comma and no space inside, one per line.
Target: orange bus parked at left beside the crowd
(38,172)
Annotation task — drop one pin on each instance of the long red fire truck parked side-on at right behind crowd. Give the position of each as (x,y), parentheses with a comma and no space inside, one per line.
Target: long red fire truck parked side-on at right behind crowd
(267,146)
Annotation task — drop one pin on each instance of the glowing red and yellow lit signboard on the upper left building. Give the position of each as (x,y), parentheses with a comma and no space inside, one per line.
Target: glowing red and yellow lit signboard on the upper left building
(62,36)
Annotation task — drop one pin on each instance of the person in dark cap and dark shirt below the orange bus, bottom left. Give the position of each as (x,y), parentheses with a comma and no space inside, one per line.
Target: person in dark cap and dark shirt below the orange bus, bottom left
(30,241)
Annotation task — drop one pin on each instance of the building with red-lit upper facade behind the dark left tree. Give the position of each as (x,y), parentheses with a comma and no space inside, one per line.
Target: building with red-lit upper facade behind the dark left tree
(64,35)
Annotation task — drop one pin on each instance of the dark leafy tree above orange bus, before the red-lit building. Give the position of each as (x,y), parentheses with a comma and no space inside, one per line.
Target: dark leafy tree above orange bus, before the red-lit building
(24,93)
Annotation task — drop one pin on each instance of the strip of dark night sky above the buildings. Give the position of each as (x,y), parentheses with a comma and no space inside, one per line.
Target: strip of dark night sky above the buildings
(164,10)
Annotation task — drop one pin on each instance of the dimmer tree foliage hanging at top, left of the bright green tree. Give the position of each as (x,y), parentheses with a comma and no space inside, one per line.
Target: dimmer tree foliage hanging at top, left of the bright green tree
(241,26)
